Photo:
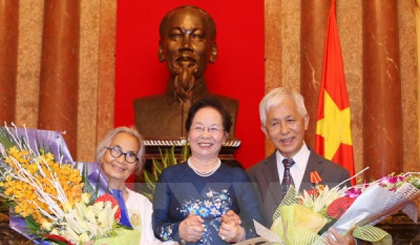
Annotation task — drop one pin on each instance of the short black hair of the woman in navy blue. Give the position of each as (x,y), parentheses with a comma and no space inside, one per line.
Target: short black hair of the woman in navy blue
(214,103)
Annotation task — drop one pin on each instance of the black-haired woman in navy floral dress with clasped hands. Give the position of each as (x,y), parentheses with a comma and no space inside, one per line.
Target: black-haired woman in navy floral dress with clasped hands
(204,201)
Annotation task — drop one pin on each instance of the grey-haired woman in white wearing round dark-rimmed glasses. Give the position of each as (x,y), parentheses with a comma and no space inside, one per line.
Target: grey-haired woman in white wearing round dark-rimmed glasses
(120,154)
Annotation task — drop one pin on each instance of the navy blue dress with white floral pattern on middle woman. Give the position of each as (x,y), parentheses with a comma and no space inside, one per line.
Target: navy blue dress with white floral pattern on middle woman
(181,191)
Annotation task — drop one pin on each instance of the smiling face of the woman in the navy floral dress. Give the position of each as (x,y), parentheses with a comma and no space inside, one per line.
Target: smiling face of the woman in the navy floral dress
(206,135)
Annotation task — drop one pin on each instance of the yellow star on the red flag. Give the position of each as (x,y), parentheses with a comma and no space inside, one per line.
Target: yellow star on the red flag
(334,127)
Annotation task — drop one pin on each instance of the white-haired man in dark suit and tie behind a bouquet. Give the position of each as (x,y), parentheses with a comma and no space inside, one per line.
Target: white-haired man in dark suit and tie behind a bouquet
(284,119)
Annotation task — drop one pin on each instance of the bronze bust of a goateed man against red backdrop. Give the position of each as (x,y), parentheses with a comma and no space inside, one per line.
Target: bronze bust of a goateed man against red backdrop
(187,44)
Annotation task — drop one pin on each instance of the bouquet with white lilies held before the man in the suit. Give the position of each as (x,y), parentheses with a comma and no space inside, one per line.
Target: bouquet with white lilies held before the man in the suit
(305,218)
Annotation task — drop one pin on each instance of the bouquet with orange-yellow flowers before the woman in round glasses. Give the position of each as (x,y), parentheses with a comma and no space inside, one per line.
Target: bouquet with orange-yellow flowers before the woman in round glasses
(54,200)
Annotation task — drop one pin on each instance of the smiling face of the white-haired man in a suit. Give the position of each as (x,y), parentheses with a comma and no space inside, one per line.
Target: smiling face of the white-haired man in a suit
(286,127)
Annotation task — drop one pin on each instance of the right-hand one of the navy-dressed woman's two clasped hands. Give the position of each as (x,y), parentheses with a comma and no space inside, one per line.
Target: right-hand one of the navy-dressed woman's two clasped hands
(231,230)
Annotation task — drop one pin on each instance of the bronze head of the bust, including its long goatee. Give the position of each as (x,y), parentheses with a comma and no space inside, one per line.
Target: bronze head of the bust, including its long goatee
(187,44)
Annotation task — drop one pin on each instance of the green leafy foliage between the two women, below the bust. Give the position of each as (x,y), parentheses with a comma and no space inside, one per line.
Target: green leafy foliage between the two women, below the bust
(167,159)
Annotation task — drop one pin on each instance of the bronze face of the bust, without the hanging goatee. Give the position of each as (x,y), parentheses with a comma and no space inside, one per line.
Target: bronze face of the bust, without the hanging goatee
(187,44)
